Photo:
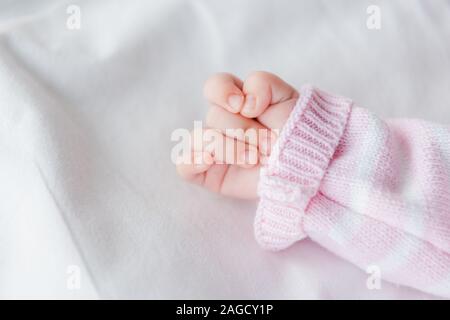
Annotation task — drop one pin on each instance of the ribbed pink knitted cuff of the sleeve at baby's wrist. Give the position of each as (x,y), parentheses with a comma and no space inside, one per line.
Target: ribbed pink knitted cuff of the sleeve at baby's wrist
(296,166)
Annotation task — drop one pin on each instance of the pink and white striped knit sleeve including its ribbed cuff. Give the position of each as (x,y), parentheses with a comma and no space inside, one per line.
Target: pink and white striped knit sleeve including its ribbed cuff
(374,192)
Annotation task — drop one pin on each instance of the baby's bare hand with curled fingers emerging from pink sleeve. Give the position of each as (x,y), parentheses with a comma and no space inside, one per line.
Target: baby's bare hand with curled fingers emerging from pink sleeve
(258,107)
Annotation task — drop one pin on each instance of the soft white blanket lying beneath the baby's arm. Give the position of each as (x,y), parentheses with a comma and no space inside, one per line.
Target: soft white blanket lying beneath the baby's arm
(90,204)
